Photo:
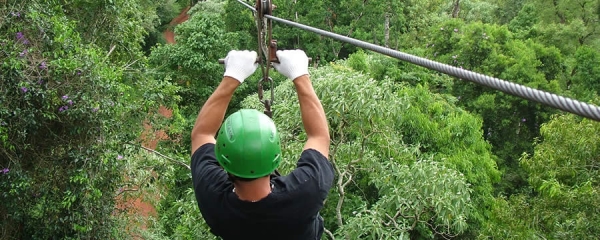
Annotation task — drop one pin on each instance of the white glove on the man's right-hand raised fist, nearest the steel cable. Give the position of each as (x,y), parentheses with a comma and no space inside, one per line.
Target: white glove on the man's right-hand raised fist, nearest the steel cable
(292,63)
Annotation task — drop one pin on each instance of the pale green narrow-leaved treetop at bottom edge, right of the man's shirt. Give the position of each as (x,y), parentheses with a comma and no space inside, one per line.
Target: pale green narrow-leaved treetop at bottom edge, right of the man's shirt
(422,200)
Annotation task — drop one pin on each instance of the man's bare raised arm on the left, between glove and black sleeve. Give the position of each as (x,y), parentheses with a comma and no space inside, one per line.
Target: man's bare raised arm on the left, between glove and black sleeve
(212,113)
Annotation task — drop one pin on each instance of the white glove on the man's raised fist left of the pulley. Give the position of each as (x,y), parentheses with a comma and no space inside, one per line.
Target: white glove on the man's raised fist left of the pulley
(240,64)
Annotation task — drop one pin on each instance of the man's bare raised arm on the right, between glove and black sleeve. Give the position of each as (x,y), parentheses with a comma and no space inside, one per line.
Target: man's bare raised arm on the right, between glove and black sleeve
(313,116)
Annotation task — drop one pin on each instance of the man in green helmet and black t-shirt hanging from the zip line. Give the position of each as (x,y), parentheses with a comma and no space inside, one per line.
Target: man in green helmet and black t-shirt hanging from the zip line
(237,193)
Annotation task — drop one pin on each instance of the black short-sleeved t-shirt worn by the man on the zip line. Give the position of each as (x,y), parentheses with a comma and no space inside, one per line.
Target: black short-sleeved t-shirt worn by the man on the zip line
(290,211)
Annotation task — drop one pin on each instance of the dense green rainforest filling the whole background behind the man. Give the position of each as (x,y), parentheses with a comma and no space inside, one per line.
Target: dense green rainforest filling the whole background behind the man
(96,109)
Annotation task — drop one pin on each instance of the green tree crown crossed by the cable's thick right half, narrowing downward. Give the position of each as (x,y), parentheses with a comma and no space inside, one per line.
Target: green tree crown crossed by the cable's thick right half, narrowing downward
(510,123)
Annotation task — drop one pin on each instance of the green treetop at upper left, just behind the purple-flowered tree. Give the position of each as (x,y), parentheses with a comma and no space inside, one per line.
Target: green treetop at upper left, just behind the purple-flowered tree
(118,24)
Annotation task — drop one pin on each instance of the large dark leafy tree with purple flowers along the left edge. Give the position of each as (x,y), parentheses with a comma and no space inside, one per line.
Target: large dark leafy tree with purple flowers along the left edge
(66,111)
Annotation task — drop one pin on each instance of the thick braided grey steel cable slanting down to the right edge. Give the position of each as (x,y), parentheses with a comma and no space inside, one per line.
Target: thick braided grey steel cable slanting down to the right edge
(550,99)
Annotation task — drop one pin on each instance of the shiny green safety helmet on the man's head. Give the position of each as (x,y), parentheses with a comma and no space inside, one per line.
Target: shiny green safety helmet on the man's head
(248,144)
